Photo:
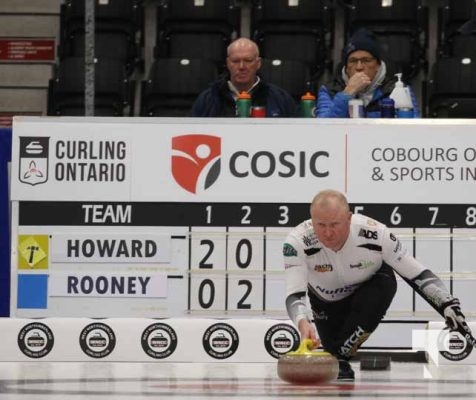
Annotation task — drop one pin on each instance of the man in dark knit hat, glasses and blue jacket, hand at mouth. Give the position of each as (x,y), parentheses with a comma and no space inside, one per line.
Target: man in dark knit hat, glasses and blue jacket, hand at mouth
(363,76)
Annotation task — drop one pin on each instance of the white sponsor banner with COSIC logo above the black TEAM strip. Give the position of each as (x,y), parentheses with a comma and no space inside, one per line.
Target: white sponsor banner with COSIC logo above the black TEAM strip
(224,160)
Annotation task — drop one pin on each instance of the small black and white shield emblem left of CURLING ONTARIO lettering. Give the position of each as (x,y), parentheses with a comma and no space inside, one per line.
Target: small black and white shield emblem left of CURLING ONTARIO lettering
(33,160)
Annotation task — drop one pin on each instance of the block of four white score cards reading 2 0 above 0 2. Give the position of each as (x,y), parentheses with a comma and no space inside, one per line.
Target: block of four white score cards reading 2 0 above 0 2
(227,269)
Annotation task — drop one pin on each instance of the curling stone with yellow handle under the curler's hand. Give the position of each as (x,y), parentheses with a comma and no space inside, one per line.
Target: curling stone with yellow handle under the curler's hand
(305,366)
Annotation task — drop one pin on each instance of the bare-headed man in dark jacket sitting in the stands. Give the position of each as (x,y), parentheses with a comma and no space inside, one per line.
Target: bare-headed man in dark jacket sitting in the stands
(243,62)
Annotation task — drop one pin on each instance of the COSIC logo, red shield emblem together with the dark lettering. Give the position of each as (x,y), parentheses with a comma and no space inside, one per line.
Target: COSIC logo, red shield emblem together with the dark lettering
(196,163)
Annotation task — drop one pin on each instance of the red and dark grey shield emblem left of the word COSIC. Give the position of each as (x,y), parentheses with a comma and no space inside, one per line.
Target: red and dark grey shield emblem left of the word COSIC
(196,161)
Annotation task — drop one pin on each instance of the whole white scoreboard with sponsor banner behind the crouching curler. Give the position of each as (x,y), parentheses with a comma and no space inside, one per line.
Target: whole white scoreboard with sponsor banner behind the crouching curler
(186,217)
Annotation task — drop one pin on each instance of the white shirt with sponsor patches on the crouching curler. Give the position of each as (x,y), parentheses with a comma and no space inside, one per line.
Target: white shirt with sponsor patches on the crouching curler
(332,276)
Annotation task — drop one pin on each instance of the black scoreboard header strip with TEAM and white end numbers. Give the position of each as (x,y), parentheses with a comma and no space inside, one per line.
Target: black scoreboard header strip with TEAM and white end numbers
(403,215)
